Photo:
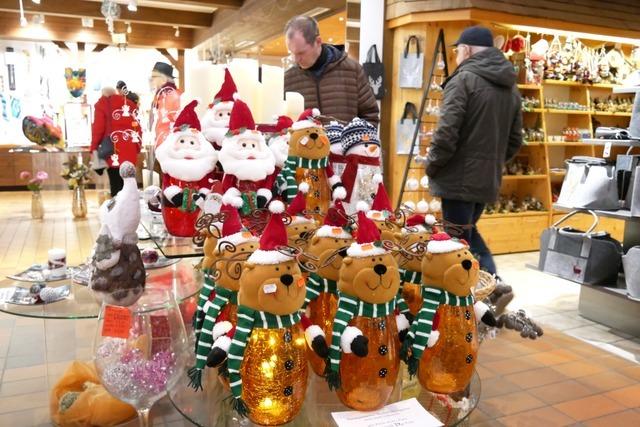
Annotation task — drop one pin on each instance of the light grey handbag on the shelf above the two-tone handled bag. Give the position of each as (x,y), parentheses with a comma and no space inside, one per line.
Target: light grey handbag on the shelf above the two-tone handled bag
(590,183)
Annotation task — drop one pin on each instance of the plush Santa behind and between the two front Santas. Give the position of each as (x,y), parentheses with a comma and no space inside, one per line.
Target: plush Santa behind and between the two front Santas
(215,122)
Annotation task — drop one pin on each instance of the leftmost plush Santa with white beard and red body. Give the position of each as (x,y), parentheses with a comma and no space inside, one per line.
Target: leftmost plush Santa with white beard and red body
(187,160)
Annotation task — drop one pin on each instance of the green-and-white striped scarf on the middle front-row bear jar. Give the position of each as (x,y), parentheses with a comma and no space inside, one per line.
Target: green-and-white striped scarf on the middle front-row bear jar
(348,308)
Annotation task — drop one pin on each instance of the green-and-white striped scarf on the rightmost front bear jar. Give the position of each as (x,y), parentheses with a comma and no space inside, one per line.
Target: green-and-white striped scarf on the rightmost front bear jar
(432,298)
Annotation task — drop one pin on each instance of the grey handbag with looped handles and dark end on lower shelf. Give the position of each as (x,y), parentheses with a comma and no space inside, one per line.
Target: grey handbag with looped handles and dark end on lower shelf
(589,257)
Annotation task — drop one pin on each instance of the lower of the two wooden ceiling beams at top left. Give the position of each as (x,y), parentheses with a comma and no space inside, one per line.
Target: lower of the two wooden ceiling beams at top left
(69,29)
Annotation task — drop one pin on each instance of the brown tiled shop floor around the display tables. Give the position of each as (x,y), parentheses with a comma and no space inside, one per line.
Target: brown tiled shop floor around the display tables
(579,373)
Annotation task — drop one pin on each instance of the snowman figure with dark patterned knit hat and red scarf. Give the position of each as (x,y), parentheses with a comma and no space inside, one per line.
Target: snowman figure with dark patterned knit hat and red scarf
(361,147)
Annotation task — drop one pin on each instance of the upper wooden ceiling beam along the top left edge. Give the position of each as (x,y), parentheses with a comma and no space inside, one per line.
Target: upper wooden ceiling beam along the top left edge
(91,9)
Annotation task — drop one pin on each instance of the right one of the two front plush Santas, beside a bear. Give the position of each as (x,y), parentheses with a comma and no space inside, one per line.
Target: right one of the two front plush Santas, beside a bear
(247,160)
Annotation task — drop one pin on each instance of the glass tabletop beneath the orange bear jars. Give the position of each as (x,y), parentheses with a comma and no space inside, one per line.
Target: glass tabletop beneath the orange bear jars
(211,407)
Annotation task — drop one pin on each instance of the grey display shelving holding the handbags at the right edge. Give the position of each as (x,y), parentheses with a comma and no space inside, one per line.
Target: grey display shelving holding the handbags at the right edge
(609,304)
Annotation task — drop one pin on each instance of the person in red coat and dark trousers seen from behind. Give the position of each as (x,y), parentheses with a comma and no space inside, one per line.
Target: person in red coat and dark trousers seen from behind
(113,117)
